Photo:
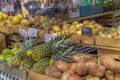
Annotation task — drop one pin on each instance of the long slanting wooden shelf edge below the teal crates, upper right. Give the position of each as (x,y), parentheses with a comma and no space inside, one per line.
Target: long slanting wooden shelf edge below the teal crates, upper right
(91,16)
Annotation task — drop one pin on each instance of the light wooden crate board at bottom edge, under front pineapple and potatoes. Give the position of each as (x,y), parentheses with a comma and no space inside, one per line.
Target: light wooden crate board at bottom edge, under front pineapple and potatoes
(35,76)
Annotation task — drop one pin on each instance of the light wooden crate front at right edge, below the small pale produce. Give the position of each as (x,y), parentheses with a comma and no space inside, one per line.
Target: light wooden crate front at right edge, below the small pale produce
(108,42)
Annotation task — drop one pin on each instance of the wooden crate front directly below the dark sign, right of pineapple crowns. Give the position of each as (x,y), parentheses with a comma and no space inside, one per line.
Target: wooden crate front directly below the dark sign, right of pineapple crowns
(82,40)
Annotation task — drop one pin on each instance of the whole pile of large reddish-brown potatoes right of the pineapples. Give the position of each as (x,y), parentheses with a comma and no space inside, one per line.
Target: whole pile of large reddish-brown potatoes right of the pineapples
(85,67)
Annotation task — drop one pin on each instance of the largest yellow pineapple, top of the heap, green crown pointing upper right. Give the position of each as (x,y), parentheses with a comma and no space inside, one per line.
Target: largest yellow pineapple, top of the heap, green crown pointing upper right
(48,49)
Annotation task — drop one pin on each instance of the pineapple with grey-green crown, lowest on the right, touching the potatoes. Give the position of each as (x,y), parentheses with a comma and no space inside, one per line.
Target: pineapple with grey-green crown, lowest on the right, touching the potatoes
(64,54)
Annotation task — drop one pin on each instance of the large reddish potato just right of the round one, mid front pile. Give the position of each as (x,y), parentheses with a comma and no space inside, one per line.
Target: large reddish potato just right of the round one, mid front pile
(95,69)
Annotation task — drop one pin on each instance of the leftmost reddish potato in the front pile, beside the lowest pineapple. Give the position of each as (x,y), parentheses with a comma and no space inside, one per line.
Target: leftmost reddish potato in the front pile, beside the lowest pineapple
(52,71)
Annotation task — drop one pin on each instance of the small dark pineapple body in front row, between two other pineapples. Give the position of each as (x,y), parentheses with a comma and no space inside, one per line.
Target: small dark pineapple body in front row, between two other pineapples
(27,63)
